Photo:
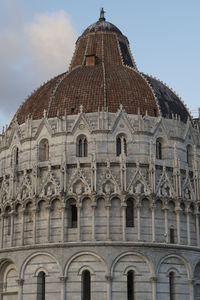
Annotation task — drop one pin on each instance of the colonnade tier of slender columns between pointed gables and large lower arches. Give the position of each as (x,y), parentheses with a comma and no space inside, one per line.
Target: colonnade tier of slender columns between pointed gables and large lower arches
(8,222)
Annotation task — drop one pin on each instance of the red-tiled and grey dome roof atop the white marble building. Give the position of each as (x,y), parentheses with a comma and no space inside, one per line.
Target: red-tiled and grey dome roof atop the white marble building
(110,81)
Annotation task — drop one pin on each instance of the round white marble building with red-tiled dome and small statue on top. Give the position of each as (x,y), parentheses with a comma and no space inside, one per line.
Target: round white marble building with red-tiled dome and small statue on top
(100,184)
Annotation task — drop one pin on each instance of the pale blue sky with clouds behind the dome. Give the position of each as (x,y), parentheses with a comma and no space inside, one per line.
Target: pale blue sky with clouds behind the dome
(38,41)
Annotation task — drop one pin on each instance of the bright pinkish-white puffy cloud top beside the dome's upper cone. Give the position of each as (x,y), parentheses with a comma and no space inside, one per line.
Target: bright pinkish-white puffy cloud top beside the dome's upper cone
(51,42)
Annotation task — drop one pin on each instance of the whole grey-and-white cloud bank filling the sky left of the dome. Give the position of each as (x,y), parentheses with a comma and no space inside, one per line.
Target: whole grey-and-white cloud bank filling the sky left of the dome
(30,54)
